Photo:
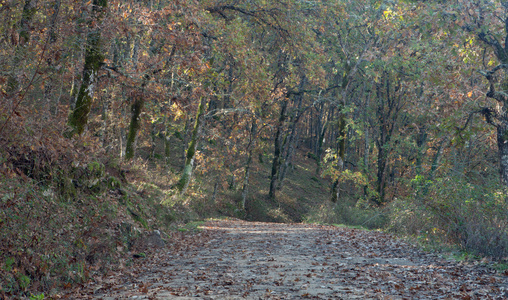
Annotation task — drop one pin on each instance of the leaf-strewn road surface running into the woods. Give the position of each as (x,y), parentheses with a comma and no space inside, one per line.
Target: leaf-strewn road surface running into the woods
(231,259)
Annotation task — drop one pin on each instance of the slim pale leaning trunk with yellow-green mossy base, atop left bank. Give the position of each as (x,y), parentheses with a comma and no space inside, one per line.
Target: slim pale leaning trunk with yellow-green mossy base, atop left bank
(191,150)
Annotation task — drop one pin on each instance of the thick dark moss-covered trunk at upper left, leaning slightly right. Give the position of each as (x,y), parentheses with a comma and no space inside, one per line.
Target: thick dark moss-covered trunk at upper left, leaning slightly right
(94,58)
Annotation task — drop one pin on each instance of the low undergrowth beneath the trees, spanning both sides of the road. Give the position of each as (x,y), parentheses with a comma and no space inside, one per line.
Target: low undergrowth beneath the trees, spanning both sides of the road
(68,214)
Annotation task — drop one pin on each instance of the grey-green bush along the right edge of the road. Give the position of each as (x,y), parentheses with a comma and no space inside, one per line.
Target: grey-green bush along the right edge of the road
(475,217)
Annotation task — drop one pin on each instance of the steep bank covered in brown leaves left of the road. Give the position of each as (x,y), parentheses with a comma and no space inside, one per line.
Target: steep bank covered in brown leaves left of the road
(76,220)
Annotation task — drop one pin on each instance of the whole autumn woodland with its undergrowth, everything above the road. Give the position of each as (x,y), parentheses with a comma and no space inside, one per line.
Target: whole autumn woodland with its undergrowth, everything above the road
(117,115)
